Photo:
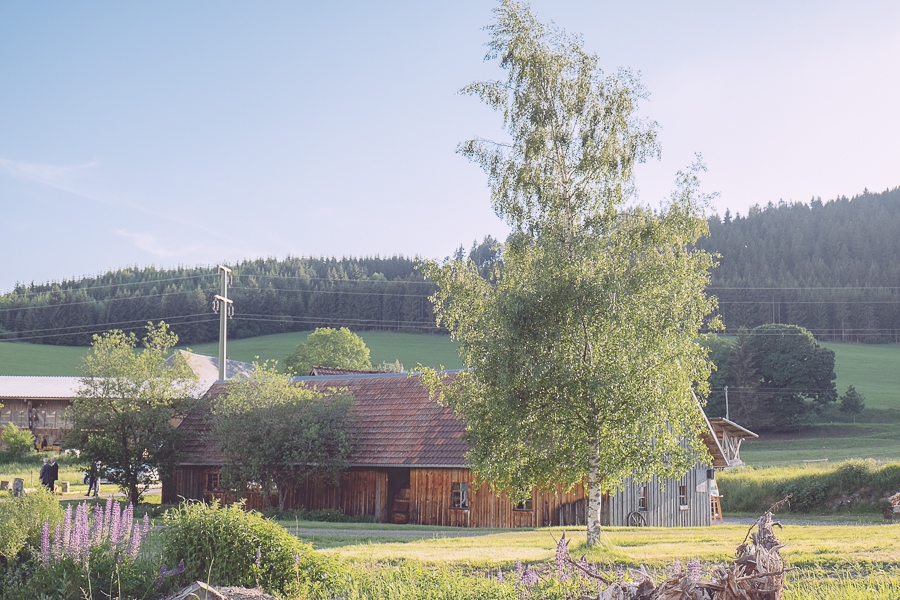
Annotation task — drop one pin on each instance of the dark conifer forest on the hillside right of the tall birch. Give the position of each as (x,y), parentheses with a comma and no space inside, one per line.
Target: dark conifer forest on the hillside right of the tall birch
(832,267)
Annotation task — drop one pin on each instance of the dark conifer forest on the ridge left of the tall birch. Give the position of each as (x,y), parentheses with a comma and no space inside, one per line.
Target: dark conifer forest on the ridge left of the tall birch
(270,296)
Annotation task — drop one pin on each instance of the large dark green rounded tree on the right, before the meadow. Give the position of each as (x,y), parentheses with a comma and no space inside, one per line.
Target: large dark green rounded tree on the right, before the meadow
(796,375)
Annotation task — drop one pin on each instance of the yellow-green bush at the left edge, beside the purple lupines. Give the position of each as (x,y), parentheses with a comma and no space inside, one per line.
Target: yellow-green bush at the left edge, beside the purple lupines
(22,518)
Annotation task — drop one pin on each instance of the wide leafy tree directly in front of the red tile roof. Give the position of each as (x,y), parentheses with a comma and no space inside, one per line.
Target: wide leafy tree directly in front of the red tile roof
(278,434)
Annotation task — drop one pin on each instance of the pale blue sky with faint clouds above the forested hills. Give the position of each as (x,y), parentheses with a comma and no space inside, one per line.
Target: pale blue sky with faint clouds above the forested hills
(189,133)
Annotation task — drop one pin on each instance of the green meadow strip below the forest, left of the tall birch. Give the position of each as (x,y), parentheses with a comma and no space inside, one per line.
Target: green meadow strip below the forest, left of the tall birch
(409,348)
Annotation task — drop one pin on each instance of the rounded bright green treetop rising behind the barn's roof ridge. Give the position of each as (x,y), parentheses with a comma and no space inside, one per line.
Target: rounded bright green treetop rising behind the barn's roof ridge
(328,347)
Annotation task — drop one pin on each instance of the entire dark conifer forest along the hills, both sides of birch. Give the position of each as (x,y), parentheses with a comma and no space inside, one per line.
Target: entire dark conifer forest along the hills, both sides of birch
(832,267)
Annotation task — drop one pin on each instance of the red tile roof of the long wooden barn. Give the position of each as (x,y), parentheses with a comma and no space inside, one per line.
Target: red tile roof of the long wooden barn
(397,423)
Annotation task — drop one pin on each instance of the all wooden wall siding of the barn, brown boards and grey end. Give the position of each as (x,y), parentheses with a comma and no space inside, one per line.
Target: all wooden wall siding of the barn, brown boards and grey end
(365,492)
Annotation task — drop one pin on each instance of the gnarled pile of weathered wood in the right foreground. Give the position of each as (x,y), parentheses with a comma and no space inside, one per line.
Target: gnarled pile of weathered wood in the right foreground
(757,573)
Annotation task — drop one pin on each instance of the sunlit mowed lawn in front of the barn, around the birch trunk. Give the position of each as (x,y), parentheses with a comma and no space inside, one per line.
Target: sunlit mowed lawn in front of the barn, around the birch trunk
(806,546)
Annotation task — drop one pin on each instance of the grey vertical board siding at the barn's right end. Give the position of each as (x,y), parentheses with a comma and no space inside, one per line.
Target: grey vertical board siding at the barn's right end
(663,508)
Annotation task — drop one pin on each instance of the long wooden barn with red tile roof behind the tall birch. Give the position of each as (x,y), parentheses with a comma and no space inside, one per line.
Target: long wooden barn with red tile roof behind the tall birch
(408,466)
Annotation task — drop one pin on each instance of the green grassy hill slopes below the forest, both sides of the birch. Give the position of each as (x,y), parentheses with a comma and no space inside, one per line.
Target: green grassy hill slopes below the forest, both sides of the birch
(873,369)
